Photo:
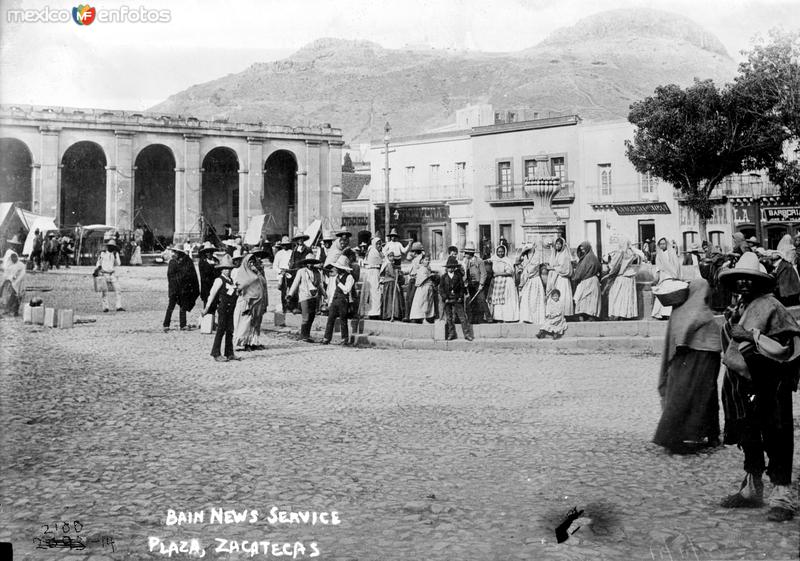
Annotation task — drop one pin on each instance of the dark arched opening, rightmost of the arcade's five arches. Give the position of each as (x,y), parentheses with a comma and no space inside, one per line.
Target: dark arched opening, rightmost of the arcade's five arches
(280,193)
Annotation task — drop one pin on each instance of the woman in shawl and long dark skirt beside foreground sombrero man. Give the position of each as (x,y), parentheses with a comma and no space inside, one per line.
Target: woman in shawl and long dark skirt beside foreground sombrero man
(687,382)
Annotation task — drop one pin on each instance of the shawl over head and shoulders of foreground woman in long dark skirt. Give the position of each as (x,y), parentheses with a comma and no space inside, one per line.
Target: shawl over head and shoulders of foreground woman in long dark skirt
(692,325)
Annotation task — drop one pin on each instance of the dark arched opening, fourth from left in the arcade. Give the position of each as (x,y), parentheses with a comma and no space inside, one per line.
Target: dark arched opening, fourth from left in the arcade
(220,192)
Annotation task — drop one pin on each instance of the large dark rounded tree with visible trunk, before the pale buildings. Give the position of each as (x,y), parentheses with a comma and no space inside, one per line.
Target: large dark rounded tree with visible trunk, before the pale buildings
(695,137)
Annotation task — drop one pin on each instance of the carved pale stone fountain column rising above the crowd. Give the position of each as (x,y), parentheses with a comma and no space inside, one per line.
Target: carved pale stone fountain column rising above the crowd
(542,226)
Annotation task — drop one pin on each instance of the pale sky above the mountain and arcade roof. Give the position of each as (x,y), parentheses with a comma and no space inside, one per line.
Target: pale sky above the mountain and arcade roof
(133,65)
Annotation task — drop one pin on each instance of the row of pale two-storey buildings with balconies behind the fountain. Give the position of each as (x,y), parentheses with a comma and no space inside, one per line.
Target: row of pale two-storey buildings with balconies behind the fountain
(603,199)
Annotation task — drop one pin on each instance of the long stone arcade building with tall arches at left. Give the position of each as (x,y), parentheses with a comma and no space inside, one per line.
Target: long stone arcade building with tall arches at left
(170,174)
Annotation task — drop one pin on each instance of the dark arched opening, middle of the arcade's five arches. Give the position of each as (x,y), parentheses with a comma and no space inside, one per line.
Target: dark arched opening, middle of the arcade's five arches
(154,191)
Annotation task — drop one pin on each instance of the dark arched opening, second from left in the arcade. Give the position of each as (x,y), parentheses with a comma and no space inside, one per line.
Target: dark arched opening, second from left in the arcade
(83,185)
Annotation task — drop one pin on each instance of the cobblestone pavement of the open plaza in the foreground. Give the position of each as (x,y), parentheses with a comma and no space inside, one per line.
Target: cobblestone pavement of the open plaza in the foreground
(424,454)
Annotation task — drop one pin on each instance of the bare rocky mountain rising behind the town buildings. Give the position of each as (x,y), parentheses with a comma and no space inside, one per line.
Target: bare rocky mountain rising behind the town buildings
(595,68)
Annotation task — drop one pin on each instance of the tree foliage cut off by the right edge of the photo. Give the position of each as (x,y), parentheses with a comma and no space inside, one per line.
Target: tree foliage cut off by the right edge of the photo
(769,83)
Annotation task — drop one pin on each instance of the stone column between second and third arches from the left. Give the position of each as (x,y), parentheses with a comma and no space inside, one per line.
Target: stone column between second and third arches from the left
(119,184)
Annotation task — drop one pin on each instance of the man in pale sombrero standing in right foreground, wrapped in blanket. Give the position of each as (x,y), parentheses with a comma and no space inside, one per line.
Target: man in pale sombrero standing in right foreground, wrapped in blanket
(761,342)
